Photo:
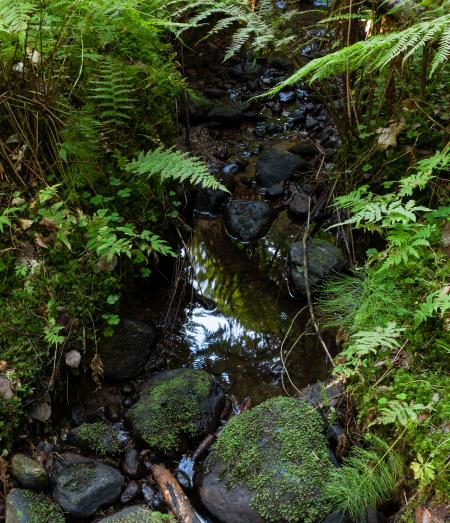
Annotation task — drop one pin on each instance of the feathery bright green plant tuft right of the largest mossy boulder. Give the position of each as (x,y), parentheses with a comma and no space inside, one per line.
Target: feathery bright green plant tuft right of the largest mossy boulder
(368,477)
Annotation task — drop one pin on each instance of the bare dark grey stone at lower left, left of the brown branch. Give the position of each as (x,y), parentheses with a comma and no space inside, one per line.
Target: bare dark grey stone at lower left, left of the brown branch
(82,486)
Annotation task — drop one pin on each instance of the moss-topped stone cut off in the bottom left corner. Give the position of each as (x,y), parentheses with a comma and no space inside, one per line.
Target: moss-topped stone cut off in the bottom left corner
(25,506)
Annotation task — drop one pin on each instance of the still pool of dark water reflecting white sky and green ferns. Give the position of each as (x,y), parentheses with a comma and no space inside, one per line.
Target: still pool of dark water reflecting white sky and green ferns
(242,312)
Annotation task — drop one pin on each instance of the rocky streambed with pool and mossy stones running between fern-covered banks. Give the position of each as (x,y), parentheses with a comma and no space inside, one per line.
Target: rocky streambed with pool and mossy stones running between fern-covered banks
(217,379)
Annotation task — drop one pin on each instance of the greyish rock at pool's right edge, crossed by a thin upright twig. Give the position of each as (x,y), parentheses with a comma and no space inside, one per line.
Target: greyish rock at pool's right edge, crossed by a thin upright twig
(323,259)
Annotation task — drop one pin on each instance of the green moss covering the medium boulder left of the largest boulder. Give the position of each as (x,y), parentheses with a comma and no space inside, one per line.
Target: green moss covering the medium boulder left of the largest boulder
(170,409)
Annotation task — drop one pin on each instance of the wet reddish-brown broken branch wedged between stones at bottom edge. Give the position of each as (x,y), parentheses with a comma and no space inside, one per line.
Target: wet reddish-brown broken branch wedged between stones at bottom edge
(176,500)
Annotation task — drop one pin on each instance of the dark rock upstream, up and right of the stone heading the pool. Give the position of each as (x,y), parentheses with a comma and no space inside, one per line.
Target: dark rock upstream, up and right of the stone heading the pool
(276,166)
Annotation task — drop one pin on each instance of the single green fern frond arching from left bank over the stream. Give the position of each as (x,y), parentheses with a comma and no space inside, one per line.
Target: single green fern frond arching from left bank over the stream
(171,164)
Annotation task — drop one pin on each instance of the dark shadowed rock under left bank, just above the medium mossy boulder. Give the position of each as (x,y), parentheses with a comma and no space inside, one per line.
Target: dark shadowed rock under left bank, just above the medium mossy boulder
(126,352)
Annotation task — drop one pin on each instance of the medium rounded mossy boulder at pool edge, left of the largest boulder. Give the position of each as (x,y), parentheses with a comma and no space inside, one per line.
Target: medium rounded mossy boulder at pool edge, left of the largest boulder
(176,406)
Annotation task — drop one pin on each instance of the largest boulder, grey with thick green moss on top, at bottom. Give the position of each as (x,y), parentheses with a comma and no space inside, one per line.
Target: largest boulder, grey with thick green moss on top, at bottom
(269,464)
